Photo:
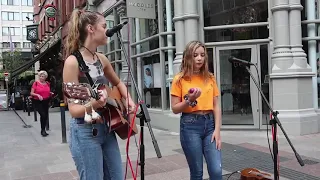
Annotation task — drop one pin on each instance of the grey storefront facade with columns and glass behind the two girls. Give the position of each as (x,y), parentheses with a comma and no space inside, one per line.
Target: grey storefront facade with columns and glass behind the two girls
(279,37)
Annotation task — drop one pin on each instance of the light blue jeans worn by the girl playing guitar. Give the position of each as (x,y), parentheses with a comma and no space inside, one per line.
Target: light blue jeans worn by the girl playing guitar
(96,158)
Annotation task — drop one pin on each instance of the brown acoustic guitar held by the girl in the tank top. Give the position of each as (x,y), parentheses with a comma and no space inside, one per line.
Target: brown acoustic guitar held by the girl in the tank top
(114,111)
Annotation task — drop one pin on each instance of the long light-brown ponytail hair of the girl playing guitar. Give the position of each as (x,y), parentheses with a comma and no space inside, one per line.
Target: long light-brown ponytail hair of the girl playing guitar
(77,28)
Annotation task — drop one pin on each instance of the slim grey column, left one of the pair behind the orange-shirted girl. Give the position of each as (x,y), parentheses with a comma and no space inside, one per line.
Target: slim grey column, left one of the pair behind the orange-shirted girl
(179,34)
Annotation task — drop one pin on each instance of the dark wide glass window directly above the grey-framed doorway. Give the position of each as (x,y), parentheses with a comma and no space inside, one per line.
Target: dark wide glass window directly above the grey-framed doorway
(228,12)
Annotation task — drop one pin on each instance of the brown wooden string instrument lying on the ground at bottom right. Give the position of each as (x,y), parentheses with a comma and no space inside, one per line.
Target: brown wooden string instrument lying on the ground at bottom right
(254,174)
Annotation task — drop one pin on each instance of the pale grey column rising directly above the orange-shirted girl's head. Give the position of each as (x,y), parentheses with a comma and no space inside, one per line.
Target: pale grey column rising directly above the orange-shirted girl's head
(191,17)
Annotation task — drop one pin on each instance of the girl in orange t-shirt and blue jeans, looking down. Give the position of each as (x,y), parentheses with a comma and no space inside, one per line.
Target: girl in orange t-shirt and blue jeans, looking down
(194,94)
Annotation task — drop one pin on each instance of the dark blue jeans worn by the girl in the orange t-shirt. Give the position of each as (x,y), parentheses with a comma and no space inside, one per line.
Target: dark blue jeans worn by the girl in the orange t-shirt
(195,137)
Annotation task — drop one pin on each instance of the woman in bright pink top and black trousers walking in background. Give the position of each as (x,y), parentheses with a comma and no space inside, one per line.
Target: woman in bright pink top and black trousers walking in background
(40,92)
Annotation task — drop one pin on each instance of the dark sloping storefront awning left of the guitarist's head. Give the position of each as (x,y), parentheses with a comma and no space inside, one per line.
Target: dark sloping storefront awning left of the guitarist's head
(30,63)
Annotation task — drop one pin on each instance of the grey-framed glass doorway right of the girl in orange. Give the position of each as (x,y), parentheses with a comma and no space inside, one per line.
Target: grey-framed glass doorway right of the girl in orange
(240,101)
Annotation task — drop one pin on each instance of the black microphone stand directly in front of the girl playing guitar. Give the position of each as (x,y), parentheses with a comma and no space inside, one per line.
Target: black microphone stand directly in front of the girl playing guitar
(143,116)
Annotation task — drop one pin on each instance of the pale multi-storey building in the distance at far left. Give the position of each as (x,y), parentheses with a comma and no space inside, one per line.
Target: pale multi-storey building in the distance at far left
(15,15)
